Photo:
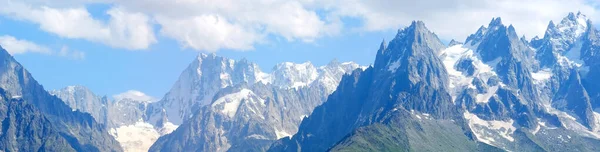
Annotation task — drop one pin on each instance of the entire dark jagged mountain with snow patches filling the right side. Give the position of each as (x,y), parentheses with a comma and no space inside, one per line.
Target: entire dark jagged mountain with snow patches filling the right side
(502,96)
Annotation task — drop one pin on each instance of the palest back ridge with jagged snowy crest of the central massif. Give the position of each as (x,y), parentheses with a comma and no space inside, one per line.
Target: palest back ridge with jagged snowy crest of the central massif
(208,74)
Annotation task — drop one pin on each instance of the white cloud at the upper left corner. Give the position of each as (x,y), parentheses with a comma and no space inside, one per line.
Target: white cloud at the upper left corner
(123,30)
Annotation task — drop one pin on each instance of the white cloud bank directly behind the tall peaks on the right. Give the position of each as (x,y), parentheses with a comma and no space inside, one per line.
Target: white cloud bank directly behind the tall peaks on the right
(458,18)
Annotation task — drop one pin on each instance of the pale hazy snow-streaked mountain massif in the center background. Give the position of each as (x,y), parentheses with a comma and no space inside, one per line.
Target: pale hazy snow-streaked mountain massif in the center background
(239,108)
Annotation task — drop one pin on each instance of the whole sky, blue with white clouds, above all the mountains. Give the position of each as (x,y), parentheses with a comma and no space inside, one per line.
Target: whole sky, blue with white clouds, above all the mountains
(151,60)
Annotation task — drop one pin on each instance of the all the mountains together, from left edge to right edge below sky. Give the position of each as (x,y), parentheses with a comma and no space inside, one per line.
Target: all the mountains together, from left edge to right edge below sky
(495,91)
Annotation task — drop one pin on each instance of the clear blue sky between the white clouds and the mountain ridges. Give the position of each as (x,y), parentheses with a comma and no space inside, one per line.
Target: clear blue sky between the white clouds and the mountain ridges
(108,71)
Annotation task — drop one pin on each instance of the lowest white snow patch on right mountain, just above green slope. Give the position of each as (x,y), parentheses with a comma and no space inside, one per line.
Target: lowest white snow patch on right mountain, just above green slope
(488,131)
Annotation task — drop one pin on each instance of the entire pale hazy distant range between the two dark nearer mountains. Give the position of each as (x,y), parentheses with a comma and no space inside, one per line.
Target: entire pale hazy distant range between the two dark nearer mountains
(235,93)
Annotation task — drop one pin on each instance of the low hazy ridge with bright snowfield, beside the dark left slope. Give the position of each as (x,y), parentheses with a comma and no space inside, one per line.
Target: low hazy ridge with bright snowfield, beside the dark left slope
(124,116)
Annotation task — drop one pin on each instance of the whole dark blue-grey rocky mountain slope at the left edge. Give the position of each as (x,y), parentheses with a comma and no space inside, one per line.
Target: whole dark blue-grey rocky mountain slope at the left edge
(80,131)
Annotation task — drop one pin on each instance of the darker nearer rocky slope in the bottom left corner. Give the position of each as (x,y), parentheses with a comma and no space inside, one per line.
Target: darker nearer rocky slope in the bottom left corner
(24,128)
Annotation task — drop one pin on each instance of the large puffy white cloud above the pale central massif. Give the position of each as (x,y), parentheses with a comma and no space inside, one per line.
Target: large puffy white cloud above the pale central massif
(238,25)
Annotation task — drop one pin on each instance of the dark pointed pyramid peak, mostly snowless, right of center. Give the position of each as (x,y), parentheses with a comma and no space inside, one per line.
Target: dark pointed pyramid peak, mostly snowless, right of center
(407,77)
